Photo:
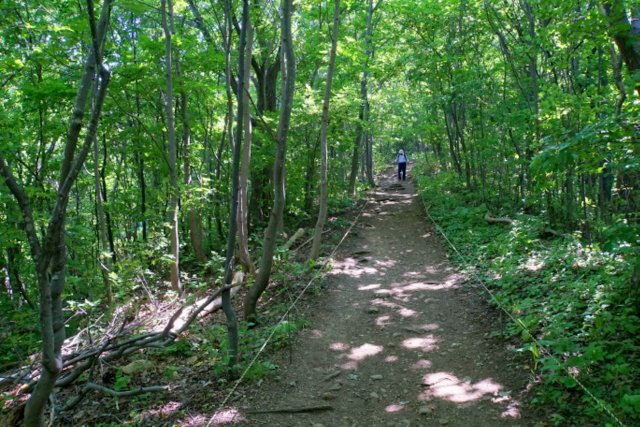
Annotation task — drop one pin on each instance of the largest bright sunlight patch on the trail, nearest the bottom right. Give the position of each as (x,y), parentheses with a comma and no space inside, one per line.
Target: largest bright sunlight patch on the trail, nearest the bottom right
(446,386)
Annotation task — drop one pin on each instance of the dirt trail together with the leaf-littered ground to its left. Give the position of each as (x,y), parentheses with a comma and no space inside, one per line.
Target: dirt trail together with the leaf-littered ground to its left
(397,336)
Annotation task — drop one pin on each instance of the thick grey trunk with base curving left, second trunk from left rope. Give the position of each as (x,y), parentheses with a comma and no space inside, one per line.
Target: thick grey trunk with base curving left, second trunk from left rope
(269,245)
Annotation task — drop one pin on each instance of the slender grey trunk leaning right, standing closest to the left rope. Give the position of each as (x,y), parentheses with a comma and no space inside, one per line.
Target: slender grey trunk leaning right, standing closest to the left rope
(324,125)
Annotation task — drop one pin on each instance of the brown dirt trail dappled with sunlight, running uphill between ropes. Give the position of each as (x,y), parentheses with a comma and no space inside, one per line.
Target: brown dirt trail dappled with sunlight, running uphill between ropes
(396,338)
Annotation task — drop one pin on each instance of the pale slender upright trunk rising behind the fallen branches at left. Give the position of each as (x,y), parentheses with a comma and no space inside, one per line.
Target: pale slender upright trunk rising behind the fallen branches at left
(167,26)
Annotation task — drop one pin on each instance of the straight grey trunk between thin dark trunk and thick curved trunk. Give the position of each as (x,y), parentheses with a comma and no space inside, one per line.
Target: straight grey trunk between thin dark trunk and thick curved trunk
(244,256)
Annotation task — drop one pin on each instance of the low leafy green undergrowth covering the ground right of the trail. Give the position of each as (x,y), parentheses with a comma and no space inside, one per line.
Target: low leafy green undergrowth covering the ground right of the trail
(573,305)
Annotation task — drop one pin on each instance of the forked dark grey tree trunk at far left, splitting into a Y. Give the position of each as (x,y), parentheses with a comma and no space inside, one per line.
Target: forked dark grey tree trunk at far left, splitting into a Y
(49,252)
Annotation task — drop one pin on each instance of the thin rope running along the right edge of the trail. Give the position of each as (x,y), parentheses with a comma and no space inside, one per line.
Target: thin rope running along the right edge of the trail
(541,348)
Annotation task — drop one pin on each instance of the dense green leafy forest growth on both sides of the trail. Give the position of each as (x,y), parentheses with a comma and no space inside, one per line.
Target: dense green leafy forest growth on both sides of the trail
(524,109)
